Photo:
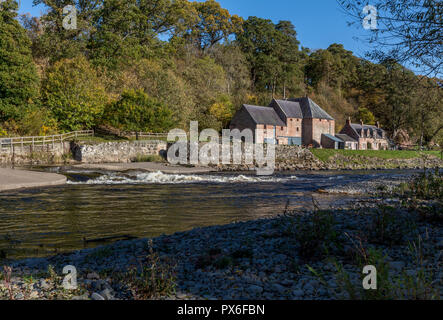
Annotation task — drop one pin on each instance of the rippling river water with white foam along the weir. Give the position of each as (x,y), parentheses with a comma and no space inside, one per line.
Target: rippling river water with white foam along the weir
(97,207)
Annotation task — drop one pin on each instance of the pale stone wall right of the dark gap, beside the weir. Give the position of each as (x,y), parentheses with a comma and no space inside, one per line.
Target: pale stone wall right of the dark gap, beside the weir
(113,152)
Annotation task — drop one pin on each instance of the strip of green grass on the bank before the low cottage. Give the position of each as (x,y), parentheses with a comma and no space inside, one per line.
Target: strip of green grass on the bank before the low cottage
(325,154)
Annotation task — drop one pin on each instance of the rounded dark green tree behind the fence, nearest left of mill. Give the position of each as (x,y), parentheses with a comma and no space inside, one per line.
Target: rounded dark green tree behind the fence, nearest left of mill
(136,111)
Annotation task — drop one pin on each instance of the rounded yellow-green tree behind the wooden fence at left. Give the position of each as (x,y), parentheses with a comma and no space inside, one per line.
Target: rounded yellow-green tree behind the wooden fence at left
(73,92)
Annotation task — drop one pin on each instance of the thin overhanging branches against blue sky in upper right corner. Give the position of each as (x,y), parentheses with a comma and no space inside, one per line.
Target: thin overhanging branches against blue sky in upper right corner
(408,31)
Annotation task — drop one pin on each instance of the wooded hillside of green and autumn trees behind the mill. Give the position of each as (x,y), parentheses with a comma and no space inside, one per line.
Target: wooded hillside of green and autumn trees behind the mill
(153,65)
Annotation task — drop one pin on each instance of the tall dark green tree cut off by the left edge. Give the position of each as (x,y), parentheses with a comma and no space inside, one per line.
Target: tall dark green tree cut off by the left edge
(19,81)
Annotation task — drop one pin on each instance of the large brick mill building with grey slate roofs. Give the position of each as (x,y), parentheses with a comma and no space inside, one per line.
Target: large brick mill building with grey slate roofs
(295,122)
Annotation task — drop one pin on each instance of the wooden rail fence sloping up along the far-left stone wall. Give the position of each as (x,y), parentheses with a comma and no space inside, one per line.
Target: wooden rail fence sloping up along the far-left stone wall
(36,141)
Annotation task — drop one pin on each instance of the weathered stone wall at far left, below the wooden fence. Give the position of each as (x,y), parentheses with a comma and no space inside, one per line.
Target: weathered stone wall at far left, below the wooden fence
(47,154)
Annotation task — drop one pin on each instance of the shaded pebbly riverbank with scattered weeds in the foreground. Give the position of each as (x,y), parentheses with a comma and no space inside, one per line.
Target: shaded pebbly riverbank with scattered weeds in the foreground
(299,255)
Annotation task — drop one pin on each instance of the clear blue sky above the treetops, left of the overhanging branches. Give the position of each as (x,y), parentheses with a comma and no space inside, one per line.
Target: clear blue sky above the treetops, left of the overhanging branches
(319,23)
